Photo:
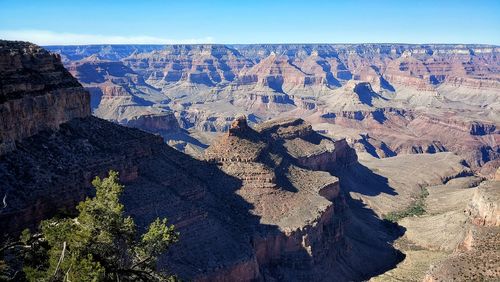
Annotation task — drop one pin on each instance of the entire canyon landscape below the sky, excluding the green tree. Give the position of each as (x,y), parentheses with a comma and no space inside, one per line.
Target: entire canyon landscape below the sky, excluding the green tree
(285,161)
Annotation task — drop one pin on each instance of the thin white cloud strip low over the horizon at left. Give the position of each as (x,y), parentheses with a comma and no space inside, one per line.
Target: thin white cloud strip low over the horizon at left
(45,37)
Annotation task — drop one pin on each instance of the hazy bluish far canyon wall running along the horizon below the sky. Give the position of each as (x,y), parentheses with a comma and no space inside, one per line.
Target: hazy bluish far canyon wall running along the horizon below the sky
(290,67)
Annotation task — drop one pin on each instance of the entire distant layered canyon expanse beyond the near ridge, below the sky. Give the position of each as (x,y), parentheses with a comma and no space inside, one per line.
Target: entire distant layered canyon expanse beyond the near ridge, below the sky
(387,99)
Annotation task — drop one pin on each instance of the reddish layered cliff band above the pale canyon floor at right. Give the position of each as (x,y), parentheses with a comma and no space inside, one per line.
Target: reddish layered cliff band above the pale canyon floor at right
(387,132)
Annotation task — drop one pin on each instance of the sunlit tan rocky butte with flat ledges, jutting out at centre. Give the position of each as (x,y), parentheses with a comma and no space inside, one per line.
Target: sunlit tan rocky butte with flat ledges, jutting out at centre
(276,162)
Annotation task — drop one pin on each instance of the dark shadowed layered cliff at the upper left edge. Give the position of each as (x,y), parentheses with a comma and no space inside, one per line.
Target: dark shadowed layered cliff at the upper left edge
(37,93)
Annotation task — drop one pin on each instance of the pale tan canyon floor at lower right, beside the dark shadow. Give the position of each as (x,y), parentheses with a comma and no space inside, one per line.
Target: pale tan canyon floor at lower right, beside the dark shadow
(454,236)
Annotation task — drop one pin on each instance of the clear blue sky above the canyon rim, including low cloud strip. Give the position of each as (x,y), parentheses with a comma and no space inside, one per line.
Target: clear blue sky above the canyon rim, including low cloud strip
(73,22)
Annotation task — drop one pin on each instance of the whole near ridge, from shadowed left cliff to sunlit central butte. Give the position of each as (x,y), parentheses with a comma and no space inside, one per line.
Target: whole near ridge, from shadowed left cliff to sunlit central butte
(255,207)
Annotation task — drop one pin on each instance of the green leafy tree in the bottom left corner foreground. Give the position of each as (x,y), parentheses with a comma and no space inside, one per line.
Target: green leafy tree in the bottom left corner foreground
(100,244)
